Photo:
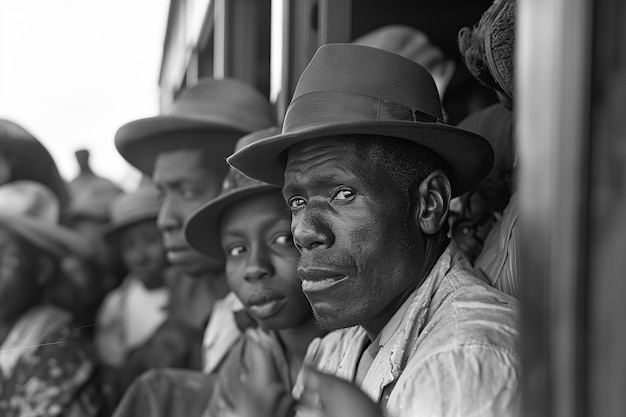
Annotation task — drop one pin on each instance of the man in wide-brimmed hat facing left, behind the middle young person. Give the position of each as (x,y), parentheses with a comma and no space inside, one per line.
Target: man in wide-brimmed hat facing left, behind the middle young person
(184,153)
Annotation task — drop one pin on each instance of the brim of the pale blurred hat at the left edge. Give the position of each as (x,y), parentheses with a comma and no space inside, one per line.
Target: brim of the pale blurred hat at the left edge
(57,240)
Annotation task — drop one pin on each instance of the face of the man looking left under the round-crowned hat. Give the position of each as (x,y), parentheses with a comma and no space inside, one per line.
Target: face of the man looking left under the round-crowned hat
(185,184)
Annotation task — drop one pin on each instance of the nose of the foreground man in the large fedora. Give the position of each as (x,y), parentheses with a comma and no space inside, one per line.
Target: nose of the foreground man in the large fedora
(311,231)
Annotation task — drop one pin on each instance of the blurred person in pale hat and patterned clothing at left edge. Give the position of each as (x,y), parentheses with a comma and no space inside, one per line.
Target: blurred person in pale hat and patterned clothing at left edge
(46,366)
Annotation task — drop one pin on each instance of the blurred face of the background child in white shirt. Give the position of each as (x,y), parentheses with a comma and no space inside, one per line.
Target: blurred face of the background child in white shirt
(143,253)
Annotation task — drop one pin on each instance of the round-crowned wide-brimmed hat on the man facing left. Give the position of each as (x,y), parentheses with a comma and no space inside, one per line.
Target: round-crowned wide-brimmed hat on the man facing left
(213,113)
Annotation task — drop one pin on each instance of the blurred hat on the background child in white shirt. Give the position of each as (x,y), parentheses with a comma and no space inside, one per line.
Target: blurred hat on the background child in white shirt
(129,209)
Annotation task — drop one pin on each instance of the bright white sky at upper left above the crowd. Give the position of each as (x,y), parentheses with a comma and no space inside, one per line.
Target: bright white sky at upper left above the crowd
(73,71)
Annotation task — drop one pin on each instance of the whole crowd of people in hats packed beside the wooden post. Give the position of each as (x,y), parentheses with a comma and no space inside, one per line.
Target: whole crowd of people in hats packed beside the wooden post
(359,259)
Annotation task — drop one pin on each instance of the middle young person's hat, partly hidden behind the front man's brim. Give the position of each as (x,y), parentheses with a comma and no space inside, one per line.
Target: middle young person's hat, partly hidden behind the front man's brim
(203,227)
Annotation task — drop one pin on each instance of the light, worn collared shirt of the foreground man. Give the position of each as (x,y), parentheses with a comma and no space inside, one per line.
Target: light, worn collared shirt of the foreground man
(450,350)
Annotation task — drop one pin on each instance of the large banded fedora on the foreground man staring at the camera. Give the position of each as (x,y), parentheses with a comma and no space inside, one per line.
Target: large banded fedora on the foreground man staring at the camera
(353,89)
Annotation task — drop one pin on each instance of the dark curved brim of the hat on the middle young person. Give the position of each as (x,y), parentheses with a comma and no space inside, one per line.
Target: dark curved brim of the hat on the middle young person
(203,227)
